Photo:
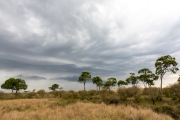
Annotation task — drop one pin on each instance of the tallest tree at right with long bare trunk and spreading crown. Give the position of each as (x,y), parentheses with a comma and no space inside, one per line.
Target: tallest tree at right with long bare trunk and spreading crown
(165,64)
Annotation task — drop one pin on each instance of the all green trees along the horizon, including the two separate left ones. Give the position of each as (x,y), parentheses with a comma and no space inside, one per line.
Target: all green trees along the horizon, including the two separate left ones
(163,65)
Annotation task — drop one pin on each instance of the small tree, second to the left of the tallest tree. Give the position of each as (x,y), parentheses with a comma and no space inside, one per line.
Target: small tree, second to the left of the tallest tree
(133,79)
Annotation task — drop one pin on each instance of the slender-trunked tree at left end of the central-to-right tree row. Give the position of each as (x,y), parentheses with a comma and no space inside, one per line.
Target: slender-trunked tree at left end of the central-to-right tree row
(84,77)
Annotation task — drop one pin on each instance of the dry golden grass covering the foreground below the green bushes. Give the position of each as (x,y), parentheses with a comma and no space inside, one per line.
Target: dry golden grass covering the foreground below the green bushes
(44,109)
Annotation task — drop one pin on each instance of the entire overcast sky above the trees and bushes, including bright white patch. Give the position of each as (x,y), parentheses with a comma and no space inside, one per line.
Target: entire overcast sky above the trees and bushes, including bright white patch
(53,41)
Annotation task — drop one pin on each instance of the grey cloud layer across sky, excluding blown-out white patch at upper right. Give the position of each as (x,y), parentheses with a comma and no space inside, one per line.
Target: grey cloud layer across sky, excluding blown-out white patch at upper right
(68,37)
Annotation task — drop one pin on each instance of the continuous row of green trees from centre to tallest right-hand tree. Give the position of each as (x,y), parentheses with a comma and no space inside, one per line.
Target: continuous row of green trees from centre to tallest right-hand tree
(163,65)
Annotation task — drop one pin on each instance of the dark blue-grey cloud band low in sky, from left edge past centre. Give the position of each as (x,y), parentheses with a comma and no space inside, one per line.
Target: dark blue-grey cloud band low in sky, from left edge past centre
(10,65)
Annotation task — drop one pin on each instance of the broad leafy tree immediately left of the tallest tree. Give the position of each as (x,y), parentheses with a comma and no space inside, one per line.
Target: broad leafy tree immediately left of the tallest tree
(147,77)
